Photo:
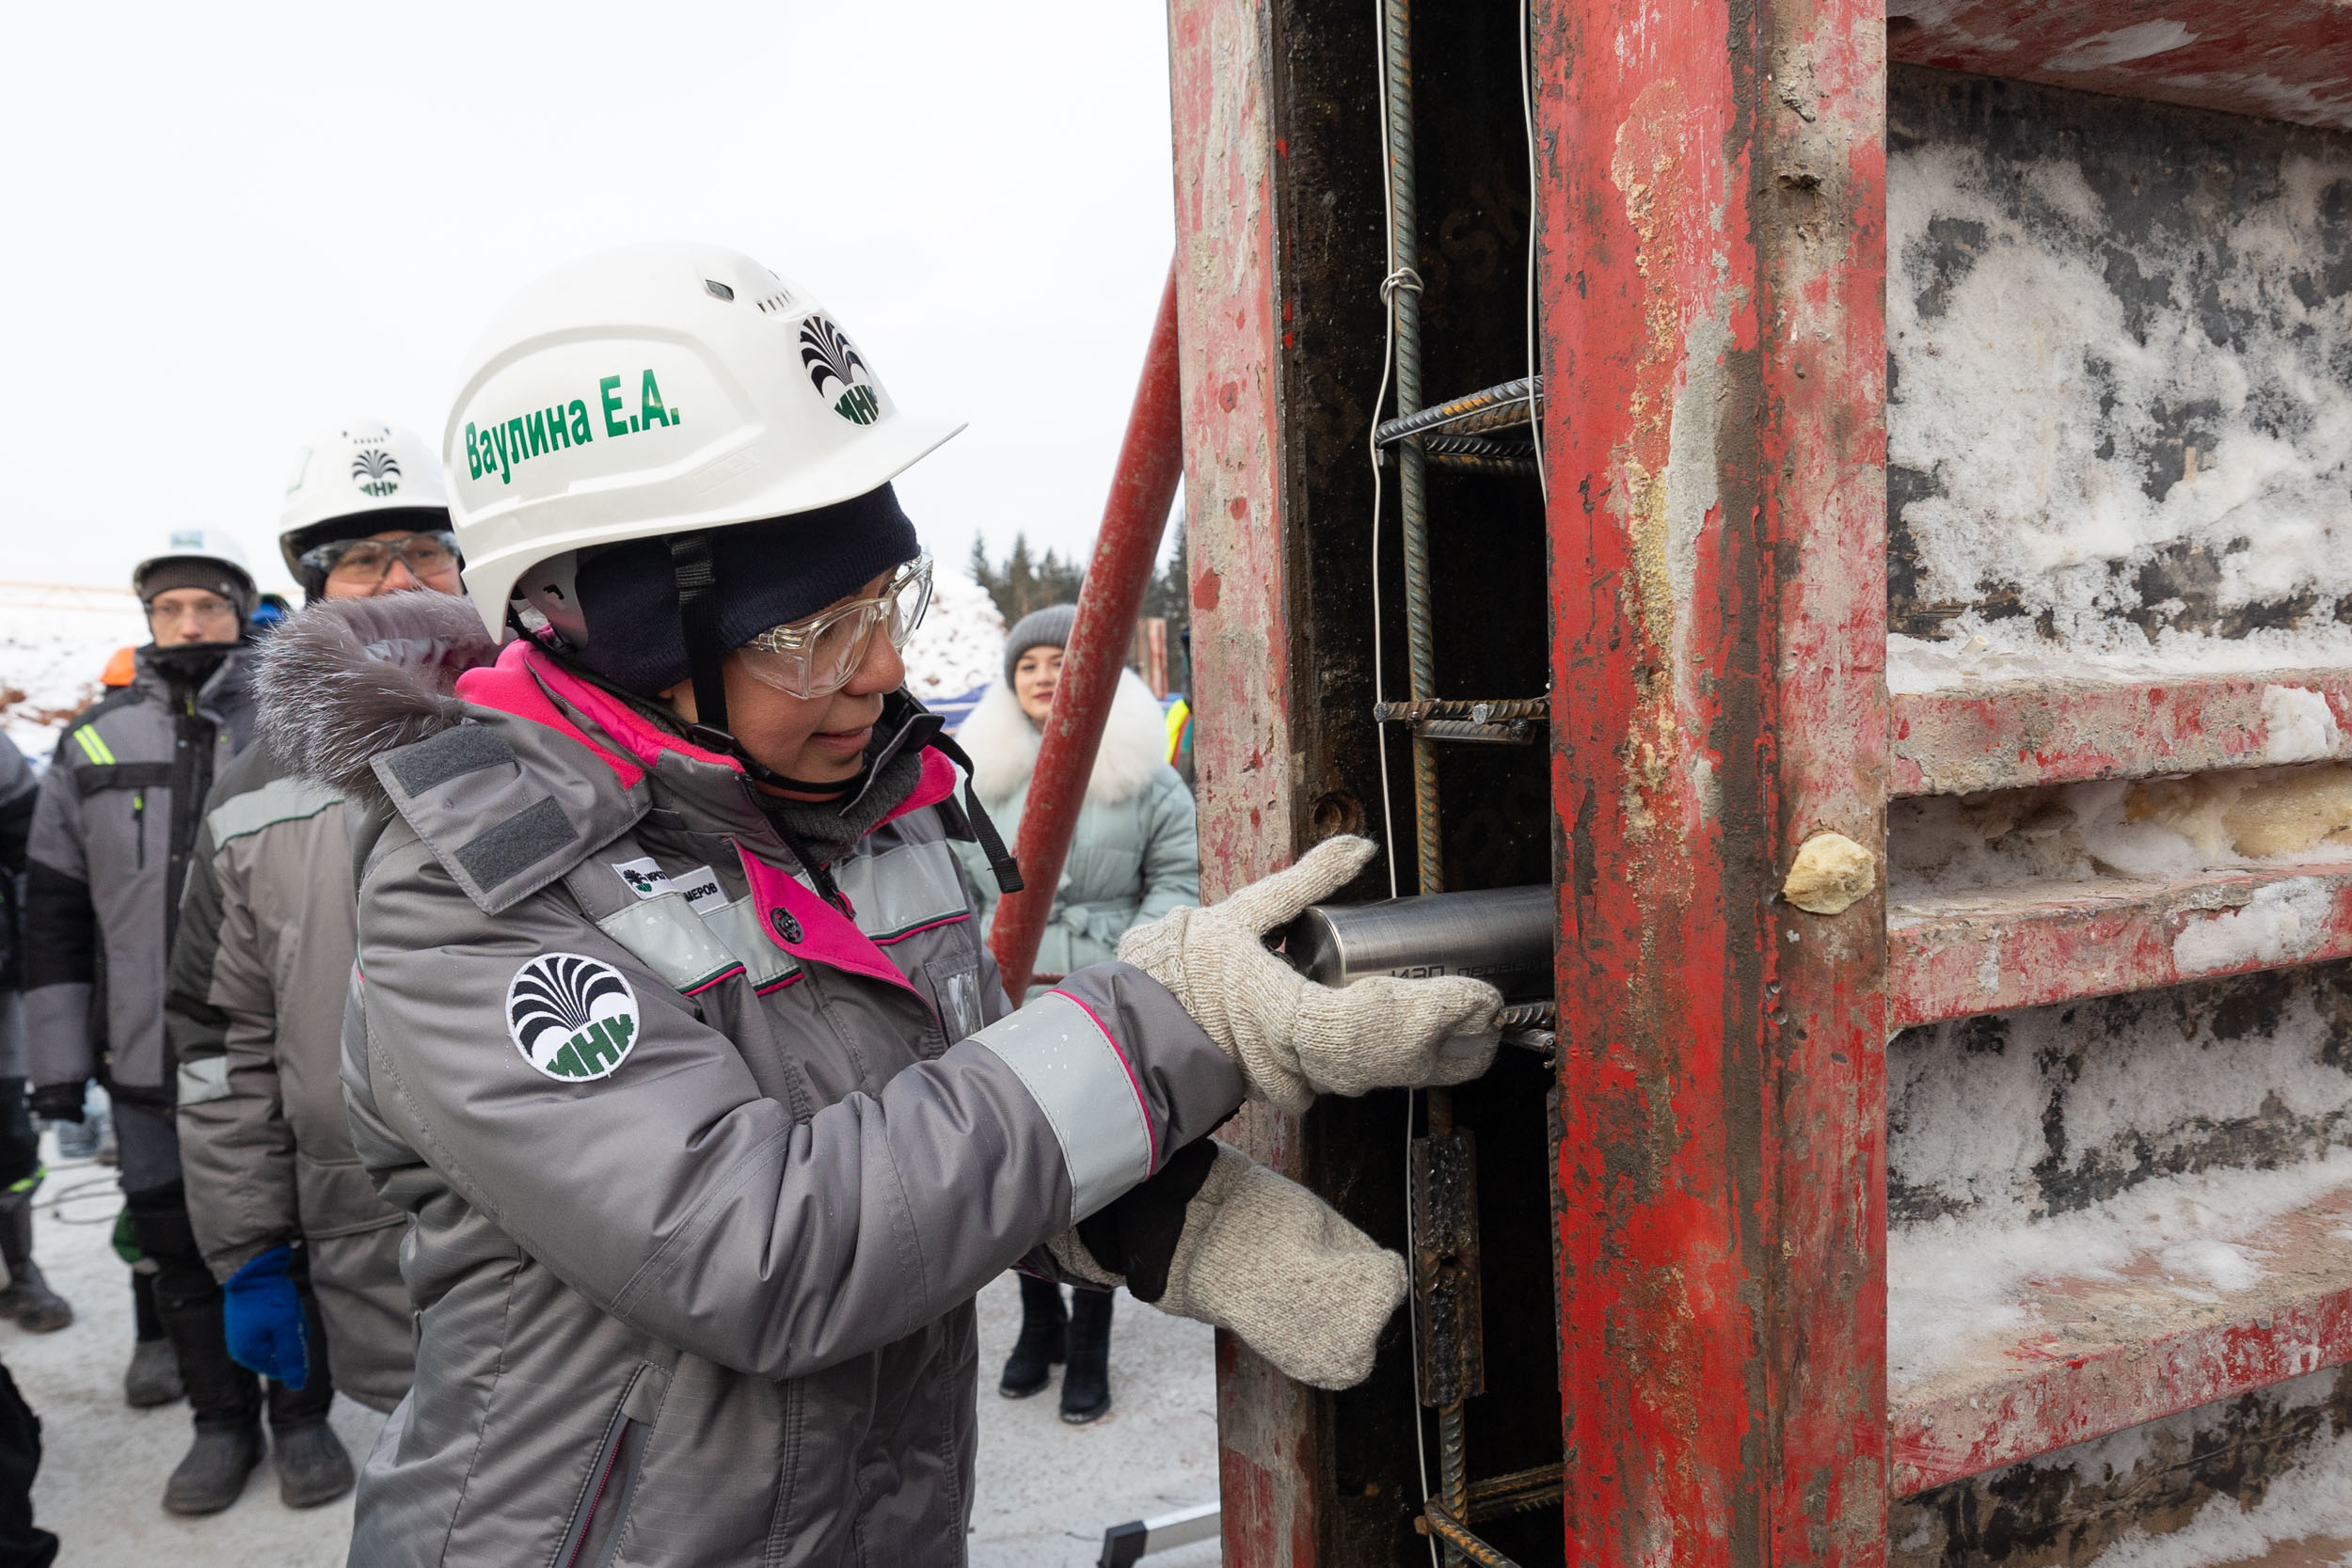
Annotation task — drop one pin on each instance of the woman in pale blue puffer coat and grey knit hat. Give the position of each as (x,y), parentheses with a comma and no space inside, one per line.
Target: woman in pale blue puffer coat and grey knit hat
(1132,859)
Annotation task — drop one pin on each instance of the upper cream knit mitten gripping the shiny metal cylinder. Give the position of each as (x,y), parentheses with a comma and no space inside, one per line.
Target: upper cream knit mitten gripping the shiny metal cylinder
(1292,1038)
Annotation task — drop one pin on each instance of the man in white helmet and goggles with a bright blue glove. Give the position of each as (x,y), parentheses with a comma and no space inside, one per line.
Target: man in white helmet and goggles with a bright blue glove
(281,1209)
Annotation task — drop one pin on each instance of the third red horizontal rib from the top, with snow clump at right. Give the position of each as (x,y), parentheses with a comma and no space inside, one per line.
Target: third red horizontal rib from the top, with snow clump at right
(2005,949)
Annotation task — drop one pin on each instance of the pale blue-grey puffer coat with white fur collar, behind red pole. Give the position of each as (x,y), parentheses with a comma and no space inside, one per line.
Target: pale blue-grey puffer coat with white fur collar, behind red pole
(1137,850)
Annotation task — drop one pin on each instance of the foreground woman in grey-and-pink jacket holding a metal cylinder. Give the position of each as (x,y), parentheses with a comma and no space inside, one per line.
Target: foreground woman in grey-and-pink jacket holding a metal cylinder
(671,1024)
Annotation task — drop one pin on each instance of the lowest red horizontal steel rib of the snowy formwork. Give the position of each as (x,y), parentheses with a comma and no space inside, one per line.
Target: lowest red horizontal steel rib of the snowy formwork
(2104,1355)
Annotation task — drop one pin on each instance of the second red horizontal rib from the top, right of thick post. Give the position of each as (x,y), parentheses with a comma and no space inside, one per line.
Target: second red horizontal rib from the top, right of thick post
(2017,735)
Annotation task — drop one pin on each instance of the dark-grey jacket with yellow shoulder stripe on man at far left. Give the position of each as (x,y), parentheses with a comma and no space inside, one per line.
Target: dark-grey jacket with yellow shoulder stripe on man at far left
(112,838)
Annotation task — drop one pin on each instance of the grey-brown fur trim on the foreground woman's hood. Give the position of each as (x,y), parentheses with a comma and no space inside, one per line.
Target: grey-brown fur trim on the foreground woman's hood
(349,681)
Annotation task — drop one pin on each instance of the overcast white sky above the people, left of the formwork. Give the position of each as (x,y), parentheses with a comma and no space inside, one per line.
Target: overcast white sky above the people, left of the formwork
(234,225)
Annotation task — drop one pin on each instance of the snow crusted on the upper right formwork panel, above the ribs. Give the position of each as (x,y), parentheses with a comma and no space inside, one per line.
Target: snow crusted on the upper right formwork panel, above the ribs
(2045,403)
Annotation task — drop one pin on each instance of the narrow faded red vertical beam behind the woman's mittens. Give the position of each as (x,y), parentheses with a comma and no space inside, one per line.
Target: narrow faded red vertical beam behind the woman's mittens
(1241,688)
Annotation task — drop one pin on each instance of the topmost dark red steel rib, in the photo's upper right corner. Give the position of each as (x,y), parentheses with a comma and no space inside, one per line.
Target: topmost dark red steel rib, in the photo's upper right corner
(2285,60)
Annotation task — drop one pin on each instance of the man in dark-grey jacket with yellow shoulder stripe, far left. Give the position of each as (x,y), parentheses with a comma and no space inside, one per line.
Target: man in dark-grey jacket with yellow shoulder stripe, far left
(112,836)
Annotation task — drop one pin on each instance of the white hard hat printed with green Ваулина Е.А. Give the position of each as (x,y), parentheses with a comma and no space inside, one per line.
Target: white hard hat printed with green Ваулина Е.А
(655,391)
